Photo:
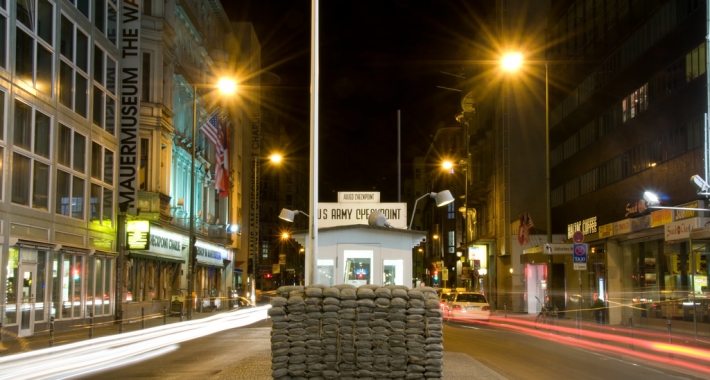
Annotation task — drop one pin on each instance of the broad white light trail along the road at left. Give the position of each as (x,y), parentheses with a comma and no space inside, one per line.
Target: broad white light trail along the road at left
(110,351)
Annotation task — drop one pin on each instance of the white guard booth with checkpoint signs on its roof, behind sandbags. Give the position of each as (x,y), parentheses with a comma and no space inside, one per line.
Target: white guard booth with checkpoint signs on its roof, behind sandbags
(350,251)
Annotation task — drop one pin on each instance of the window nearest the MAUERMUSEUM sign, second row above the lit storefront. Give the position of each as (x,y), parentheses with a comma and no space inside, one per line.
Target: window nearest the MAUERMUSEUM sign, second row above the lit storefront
(104,98)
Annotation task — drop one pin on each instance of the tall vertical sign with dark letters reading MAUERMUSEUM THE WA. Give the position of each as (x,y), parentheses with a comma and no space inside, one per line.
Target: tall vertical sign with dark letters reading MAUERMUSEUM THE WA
(129,106)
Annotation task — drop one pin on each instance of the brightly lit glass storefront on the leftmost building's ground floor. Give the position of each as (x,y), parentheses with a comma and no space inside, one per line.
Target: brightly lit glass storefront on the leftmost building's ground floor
(67,284)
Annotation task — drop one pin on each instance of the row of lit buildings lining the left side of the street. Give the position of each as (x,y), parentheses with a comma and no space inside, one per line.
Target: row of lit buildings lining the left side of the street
(63,252)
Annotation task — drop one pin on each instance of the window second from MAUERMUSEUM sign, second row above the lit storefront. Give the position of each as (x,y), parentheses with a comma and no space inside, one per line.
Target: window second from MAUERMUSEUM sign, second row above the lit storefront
(73,77)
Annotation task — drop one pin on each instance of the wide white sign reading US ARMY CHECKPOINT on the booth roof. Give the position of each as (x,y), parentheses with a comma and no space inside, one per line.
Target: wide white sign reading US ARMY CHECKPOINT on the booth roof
(348,214)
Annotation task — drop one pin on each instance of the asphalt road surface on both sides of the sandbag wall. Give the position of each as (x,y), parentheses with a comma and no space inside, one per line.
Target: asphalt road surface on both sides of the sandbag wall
(472,351)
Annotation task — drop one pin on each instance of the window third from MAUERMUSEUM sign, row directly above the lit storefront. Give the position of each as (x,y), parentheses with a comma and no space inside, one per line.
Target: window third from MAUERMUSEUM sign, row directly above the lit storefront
(31,152)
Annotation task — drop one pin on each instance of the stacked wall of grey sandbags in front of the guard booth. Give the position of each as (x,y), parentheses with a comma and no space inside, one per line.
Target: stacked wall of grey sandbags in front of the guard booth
(341,332)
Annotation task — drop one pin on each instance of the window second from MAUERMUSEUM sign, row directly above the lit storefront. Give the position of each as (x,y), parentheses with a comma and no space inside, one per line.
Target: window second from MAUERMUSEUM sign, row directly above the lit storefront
(71,170)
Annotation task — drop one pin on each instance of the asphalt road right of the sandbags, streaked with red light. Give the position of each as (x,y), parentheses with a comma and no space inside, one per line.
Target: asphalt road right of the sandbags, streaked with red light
(529,355)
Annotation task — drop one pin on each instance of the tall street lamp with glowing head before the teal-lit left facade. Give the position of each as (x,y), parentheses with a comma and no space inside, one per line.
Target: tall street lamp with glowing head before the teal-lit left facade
(226,86)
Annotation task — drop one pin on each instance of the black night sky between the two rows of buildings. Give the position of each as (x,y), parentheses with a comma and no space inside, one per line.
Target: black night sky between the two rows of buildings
(376,56)
